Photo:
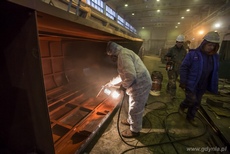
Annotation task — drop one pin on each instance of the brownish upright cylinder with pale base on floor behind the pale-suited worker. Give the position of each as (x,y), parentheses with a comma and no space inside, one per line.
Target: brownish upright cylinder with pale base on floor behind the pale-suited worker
(157,79)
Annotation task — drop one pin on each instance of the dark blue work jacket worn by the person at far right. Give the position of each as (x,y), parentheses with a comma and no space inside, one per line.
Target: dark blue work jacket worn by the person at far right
(191,70)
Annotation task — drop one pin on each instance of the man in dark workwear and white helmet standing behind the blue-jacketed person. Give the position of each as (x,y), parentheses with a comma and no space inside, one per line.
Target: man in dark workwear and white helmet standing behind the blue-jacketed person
(174,58)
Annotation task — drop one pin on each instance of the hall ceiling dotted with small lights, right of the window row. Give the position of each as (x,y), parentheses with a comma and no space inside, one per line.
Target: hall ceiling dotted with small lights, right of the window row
(168,14)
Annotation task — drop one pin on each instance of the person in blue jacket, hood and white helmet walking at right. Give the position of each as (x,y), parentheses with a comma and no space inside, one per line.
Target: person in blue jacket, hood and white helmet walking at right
(198,73)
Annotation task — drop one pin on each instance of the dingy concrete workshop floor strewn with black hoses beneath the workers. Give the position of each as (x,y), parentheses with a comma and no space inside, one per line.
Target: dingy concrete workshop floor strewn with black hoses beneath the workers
(164,130)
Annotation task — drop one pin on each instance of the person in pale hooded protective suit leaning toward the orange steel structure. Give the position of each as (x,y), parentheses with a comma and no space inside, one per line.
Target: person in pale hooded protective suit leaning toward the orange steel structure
(135,81)
